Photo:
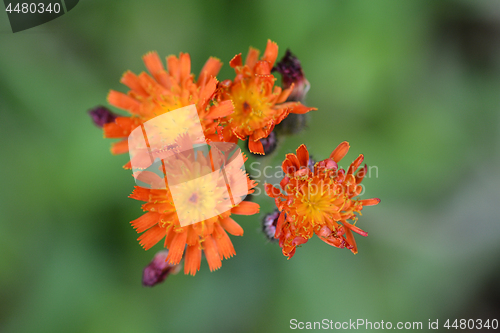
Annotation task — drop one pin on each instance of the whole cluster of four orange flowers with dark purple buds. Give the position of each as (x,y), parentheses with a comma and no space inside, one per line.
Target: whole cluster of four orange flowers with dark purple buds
(313,198)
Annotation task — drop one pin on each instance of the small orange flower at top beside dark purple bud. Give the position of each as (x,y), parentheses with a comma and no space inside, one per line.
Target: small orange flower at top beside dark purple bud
(258,104)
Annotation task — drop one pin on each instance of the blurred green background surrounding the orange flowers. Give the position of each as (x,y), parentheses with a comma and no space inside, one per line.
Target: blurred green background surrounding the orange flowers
(413,85)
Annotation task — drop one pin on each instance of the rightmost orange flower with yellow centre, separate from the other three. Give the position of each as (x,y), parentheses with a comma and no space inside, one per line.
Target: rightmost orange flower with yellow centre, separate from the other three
(319,200)
